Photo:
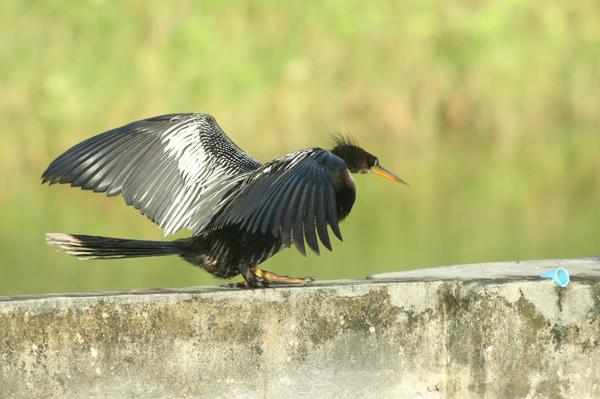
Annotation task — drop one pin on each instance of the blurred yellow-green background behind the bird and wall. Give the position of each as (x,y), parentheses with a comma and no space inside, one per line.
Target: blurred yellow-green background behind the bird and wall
(489,109)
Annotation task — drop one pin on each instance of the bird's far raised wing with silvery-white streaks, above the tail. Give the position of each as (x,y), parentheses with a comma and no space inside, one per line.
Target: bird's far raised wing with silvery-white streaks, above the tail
(175,169)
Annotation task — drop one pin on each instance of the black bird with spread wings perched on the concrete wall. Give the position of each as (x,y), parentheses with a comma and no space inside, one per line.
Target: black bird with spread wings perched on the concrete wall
(182,171)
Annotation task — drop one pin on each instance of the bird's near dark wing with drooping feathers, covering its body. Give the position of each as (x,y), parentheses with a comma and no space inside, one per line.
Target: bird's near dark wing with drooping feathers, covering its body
(289,197)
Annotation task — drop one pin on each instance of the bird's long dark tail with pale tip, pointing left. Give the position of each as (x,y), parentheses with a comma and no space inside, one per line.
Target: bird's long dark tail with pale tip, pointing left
(95,247)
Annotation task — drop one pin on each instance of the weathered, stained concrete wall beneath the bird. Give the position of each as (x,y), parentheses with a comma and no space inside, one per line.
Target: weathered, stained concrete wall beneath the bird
(470,333)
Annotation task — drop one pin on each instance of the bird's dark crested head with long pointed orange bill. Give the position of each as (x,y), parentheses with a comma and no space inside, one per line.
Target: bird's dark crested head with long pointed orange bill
(360,161)
